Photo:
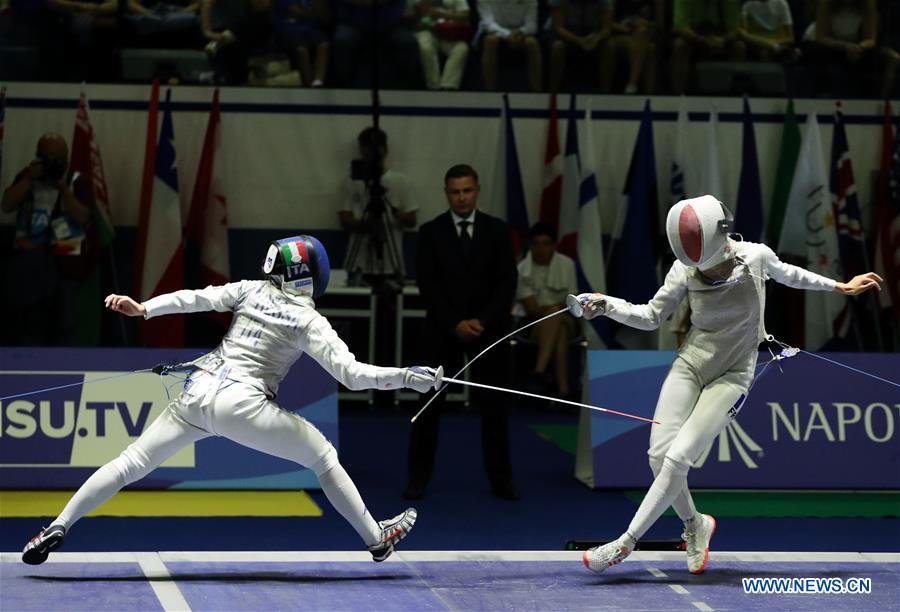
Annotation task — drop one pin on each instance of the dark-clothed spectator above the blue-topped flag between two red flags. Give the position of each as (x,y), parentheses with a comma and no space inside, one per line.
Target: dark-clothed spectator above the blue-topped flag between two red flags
(169,24)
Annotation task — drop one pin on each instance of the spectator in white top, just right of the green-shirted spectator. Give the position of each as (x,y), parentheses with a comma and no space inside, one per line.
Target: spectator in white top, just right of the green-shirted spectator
(767,29)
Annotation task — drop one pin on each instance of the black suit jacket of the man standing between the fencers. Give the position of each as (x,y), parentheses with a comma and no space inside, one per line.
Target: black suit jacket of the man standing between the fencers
(455,289)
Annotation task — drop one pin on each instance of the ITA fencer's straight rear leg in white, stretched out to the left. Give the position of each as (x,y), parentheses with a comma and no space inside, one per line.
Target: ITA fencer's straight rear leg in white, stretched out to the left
(163,438)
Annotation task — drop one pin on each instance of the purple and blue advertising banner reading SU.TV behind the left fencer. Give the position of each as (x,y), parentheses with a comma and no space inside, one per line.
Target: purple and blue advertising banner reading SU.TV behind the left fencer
(91,407)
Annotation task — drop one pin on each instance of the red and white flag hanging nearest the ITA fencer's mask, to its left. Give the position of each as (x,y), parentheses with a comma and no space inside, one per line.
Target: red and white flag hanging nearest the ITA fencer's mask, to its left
(206,235)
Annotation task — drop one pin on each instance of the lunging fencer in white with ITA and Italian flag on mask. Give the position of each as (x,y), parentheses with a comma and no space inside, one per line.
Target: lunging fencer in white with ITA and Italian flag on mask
(230,391)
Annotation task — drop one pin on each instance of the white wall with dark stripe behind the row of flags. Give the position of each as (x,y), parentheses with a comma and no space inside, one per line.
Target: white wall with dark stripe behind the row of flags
(282,165)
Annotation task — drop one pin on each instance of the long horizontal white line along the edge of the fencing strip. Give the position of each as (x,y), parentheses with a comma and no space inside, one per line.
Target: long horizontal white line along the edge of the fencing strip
(454,555)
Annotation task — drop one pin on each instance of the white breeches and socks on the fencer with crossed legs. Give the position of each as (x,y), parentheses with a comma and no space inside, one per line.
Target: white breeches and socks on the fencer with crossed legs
(690,417)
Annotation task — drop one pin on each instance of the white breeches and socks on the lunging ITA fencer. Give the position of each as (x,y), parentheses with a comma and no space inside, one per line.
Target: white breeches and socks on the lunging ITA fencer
(239,412)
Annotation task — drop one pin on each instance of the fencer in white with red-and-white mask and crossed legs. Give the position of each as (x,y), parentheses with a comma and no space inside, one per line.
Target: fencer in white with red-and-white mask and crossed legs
(724,283)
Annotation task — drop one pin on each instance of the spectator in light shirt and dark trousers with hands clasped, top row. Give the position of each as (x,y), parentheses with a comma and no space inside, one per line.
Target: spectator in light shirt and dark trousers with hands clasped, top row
(512,23)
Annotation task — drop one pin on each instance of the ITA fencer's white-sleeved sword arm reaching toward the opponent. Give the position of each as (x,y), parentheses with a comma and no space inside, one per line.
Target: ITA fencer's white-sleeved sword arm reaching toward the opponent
(323,344)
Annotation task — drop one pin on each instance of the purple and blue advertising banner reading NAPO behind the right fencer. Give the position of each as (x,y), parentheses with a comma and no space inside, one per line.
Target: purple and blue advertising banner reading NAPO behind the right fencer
(809,425)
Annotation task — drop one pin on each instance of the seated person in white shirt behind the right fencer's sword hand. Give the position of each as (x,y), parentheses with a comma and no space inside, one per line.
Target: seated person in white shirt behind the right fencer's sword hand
(545,279)
